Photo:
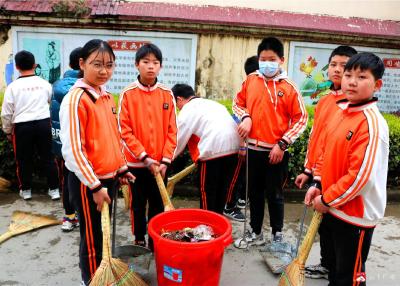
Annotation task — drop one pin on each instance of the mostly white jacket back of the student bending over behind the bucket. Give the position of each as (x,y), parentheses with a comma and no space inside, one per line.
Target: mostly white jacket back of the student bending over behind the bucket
(208,129)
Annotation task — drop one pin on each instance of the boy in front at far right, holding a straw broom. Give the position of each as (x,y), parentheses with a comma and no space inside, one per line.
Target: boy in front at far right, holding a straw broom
(349,184)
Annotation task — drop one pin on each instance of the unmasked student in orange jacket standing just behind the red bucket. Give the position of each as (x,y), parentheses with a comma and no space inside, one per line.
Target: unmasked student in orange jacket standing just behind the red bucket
(147,122)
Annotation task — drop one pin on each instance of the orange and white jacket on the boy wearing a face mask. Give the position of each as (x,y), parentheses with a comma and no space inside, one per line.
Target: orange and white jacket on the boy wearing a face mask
(276,109)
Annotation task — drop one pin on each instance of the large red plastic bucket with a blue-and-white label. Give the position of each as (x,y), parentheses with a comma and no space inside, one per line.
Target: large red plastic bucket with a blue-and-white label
(185,263)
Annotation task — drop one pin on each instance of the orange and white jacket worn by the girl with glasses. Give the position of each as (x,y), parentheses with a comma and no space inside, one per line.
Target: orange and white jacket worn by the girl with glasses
(91,144)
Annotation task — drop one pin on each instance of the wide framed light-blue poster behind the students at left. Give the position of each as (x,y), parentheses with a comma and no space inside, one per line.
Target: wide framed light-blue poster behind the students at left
(52,46)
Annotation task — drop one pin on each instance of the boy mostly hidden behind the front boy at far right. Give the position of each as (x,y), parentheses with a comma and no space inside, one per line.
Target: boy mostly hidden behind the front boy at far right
(324,110)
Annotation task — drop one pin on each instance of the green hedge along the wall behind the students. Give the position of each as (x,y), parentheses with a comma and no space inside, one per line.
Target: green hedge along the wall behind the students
(297,152)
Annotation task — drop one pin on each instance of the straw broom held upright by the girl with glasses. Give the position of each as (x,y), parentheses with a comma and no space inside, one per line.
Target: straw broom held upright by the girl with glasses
(112,271)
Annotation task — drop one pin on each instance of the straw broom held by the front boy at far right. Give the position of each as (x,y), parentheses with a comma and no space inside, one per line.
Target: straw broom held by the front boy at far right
(293,275)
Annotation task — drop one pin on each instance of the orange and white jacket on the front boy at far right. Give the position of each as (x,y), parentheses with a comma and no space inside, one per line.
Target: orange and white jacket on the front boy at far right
(354,164)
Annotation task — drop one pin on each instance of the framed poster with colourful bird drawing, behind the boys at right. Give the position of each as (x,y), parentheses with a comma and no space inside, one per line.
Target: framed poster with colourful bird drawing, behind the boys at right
(308,64)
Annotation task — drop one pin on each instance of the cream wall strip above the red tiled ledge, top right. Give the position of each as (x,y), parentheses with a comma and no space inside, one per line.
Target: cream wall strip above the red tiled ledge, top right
(373,9)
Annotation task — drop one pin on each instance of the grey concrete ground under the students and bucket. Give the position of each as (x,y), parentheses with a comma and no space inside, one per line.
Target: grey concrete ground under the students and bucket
(50,257)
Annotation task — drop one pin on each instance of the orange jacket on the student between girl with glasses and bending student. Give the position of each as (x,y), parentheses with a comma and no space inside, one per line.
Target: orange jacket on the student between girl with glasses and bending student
(147,123)
